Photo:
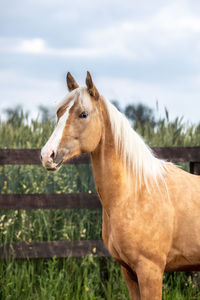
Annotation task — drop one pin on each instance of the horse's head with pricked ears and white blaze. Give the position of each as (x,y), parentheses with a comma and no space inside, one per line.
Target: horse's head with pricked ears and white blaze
(78,127)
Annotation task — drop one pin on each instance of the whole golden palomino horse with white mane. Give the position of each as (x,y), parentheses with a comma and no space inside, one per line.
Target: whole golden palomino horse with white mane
(151,208)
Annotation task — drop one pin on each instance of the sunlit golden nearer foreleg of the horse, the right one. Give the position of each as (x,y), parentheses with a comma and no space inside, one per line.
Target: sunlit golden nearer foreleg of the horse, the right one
(150,277)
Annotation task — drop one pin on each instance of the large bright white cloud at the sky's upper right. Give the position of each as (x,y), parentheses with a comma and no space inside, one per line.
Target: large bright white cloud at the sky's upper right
(170,28)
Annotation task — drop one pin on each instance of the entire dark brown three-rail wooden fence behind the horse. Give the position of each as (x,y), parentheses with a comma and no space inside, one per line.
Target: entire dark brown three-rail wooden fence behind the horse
(69,201)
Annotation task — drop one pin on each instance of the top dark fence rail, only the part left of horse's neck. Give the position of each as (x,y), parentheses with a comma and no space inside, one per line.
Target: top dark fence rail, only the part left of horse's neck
(32,157)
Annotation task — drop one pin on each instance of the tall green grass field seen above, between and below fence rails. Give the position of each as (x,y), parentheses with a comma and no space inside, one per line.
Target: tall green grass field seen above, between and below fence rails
(82,278)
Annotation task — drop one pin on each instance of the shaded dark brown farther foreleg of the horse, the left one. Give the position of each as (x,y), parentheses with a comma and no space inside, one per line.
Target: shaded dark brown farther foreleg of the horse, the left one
(132,283)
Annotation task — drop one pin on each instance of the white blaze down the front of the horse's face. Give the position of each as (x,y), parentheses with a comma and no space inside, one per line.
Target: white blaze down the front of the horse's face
(54,140)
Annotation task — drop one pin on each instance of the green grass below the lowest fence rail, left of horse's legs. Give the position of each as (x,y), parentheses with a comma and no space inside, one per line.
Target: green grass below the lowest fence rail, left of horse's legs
(62,279)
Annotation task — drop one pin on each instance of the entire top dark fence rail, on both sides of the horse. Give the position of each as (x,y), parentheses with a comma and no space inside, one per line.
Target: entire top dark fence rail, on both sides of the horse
(32,156)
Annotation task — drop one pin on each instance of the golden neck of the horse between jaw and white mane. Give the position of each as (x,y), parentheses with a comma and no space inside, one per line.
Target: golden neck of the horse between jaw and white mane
(110,174)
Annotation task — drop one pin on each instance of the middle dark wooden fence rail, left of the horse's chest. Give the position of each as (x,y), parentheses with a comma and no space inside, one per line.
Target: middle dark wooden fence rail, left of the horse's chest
(49,201)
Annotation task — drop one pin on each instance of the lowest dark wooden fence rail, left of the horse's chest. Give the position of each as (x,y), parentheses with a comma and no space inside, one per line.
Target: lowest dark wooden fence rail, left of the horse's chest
(55,248)
